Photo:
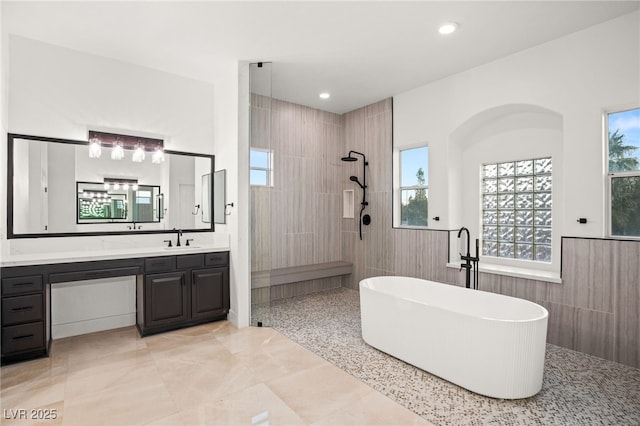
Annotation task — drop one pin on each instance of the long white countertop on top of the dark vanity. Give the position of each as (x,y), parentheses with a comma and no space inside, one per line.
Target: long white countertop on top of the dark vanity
(90,255)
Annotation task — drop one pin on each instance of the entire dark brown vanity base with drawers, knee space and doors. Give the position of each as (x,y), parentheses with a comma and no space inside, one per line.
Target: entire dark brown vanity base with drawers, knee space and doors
(172,291)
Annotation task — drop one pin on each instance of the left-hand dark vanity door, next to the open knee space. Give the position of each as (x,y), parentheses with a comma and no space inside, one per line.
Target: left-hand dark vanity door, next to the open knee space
(166,299)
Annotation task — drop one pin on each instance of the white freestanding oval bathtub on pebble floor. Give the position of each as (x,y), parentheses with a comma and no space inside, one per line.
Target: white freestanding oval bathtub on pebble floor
(488,343)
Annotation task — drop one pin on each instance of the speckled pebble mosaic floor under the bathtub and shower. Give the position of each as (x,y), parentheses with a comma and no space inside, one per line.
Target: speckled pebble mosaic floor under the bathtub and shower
(578,389)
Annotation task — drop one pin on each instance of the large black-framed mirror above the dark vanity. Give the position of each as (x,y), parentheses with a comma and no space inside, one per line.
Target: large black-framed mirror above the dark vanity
(55,188)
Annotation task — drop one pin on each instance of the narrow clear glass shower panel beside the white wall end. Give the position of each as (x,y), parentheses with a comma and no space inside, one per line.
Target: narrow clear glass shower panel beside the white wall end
(260,164)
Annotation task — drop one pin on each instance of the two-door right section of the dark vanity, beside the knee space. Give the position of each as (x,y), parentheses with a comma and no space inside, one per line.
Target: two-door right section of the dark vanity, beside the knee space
(183,290)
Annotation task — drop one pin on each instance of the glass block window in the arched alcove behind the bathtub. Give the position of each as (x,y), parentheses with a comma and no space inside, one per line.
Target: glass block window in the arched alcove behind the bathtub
(516,209)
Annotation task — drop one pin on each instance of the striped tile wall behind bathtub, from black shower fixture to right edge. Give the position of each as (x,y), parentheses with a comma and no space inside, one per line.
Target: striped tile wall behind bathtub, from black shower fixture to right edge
(596,309)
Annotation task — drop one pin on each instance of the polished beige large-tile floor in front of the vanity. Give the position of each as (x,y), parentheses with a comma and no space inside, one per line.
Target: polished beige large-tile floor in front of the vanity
(210,374)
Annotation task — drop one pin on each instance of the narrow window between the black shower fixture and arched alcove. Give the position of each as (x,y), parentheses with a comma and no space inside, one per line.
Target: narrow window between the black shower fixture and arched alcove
(412,187)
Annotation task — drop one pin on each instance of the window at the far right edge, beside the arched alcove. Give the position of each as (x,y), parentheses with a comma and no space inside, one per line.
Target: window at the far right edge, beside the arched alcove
(623,173)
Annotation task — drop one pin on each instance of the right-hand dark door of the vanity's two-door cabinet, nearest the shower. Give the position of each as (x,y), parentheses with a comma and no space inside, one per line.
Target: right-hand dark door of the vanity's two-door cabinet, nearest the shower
(209,293)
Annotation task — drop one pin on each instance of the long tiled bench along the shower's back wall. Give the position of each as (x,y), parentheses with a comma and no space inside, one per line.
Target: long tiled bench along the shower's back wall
(281,283)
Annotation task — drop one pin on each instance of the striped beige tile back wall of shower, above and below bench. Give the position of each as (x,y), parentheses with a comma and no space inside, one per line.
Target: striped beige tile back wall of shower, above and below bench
(297,220)
